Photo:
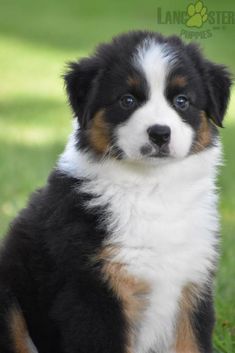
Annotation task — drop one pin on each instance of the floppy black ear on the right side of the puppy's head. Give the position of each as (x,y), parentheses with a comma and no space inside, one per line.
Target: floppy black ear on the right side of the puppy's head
(218,83)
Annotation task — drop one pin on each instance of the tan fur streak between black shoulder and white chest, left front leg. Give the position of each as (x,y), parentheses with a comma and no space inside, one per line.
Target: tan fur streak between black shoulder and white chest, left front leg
(131,291)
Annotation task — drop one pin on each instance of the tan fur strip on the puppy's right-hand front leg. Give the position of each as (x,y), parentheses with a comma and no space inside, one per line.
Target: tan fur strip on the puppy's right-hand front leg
(185,335)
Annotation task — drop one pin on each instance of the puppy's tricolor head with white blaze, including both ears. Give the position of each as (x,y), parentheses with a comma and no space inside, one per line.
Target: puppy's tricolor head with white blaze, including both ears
(144,96)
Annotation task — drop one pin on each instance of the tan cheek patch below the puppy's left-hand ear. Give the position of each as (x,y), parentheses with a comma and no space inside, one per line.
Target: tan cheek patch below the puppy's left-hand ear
(98,133)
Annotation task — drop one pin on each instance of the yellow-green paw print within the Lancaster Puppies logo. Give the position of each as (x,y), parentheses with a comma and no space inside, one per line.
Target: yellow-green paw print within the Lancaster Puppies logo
(197,15)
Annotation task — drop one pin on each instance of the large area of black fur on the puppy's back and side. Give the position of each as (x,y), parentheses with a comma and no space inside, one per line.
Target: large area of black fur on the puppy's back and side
(47,264)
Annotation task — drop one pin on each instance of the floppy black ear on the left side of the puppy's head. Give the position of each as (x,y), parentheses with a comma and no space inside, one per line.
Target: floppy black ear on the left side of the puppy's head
(80,80)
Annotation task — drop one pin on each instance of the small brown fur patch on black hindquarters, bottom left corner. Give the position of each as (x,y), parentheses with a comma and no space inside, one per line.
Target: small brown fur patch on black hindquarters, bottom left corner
(18,331)
